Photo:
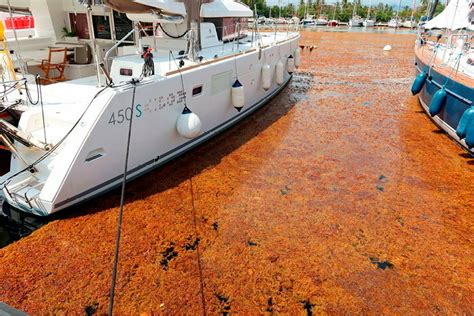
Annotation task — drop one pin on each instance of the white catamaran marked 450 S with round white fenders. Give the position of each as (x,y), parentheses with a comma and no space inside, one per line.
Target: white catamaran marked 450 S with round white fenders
(200,74)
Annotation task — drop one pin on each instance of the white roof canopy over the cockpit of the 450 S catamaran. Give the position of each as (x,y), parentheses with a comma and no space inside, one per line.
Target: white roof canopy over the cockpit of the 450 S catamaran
(225,8)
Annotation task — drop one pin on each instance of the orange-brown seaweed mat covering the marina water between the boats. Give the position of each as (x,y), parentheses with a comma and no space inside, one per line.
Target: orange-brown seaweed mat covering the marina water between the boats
(340,196)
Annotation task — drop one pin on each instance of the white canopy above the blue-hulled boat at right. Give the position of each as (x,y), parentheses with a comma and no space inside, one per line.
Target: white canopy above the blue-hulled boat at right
(455,16)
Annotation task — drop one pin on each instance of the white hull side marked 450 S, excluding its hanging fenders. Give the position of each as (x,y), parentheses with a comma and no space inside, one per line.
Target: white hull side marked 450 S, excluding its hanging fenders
(92,161)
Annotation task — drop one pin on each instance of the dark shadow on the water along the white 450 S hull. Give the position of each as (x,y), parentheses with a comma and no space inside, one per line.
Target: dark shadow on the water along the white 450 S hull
(186,166)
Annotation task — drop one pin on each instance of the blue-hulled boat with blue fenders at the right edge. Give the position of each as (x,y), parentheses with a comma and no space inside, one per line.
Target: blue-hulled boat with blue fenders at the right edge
(444,64)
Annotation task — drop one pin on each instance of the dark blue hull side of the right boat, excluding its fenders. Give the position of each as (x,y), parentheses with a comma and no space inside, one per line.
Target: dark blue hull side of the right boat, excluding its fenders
(459,99)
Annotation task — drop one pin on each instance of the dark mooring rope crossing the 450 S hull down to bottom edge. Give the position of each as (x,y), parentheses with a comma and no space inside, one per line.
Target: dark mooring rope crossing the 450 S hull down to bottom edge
(120,214)
